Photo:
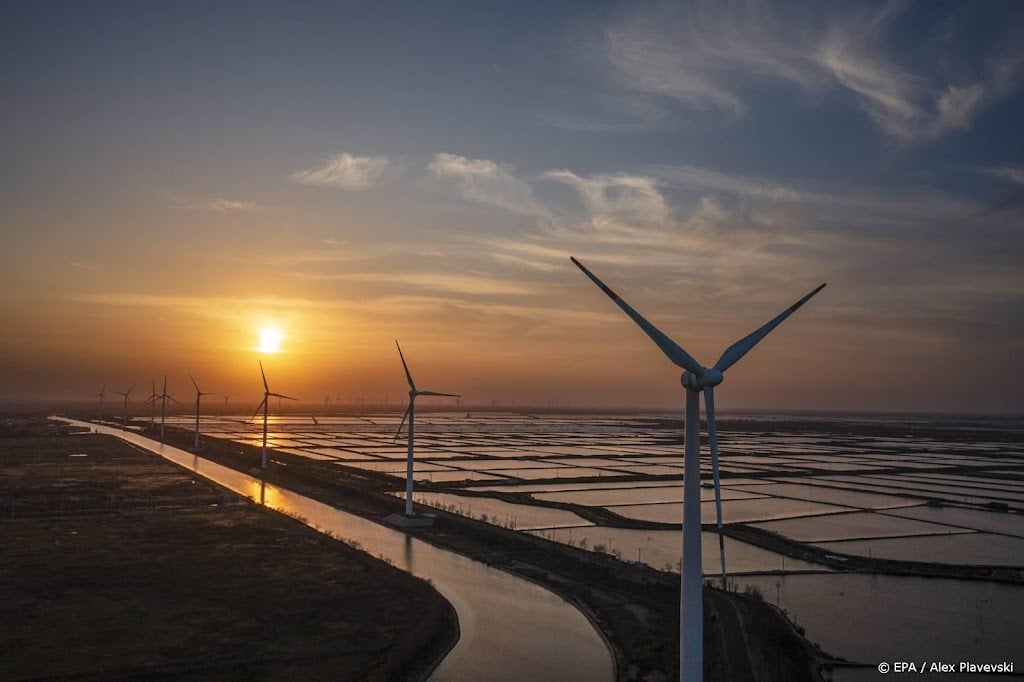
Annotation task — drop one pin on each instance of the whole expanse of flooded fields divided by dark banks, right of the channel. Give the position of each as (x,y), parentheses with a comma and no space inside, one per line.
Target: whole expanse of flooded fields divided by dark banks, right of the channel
(944,492)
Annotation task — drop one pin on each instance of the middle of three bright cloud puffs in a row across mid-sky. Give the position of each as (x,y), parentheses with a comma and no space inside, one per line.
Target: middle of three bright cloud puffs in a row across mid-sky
(487,183)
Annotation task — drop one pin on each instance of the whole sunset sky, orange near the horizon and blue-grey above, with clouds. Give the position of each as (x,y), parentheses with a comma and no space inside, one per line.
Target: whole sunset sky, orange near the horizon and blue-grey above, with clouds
(177,177)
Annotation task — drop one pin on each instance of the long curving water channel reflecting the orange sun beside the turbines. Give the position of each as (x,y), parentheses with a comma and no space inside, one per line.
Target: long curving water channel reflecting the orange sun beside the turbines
(511,629)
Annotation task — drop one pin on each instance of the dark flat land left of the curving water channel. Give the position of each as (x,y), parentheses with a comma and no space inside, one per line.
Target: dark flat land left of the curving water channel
(117,563)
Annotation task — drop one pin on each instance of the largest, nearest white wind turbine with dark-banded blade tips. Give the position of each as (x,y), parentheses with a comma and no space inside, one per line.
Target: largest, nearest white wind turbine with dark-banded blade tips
(697,378)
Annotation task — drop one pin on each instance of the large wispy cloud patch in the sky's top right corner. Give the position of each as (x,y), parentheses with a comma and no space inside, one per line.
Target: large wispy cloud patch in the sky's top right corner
(708,56)
